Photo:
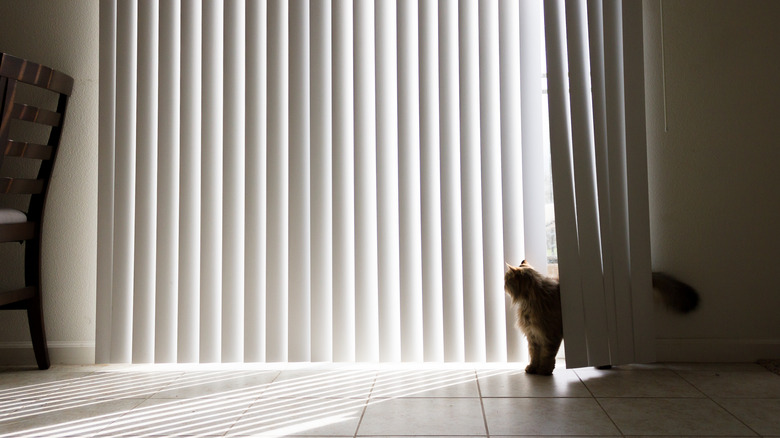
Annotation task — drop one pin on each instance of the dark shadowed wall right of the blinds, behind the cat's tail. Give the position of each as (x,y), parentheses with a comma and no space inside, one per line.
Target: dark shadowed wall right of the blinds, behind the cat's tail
(715,173)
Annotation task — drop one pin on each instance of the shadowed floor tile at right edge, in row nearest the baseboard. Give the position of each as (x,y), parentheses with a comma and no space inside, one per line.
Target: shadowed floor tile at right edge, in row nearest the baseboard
(728,384)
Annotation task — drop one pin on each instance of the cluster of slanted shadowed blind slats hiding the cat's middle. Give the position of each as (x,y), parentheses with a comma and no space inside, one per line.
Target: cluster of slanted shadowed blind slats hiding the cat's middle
(603,255)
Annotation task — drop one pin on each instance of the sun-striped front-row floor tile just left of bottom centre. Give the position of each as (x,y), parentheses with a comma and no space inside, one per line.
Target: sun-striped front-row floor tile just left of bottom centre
(300,417)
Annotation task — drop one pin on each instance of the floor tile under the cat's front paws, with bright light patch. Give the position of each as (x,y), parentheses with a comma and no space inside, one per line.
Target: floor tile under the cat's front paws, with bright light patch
(516,383)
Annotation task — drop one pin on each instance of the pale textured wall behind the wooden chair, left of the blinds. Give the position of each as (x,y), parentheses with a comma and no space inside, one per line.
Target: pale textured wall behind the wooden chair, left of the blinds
(61,34)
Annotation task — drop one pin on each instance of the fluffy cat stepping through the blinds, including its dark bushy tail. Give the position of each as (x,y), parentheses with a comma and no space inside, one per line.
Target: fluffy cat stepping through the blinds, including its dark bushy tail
(537,299)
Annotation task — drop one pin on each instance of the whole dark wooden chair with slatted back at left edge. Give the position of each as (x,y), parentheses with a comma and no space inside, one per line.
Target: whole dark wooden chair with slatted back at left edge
(21,122)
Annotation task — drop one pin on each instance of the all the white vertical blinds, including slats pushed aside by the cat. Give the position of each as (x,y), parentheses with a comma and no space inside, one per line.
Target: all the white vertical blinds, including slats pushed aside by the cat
(339,180)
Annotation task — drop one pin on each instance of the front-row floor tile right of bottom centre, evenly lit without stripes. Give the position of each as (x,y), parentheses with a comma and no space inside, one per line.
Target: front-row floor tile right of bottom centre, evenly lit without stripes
(423,416)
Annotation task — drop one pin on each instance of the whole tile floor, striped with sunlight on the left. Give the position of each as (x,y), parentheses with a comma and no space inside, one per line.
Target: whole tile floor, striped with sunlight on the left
(733,400)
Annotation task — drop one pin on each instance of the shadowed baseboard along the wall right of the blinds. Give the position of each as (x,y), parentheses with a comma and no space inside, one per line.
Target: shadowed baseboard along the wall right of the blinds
(717,350)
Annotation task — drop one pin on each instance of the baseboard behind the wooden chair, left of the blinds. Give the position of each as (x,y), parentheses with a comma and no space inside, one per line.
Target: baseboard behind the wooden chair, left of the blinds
(60,353)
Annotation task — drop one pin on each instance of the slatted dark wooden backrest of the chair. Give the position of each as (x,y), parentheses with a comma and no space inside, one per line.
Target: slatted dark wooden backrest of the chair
(26,124)
